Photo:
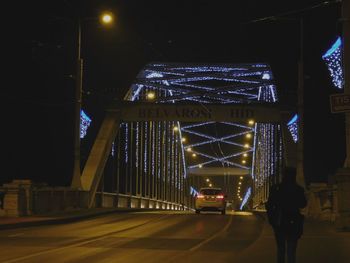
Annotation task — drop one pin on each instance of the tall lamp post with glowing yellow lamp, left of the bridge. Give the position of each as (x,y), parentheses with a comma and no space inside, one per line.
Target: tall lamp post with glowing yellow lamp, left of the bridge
(105,18)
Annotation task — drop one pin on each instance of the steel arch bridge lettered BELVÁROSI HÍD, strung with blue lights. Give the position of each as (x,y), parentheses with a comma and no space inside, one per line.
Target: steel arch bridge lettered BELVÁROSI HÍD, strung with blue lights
(182,124)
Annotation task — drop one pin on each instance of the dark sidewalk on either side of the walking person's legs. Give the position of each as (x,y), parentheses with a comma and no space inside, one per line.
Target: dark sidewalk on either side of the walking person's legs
(320,243)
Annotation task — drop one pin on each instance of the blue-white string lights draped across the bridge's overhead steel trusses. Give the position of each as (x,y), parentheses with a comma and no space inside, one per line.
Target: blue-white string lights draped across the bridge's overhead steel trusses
(193,83)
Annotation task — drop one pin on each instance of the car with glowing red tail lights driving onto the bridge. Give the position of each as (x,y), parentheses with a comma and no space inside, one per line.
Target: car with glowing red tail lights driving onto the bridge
(210,199)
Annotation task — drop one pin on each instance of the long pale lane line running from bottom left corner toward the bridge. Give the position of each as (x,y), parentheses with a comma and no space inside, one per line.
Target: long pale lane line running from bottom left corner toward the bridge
(93,239)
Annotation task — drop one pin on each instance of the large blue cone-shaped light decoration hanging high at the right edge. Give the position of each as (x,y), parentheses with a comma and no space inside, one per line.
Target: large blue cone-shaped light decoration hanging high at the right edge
(333,60)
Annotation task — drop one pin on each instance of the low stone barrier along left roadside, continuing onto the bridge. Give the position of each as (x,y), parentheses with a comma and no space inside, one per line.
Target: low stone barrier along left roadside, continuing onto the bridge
(22,197)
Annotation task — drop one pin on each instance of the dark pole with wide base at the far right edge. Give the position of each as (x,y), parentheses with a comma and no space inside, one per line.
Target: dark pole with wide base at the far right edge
(343,174)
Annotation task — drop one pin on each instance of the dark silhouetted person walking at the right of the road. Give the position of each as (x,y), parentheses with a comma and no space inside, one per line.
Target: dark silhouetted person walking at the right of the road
(283,211)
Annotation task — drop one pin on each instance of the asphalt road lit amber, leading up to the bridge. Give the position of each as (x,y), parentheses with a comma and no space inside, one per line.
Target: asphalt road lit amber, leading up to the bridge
(135,237)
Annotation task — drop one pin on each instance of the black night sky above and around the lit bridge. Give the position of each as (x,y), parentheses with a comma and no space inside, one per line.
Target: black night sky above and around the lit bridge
(38,99)
